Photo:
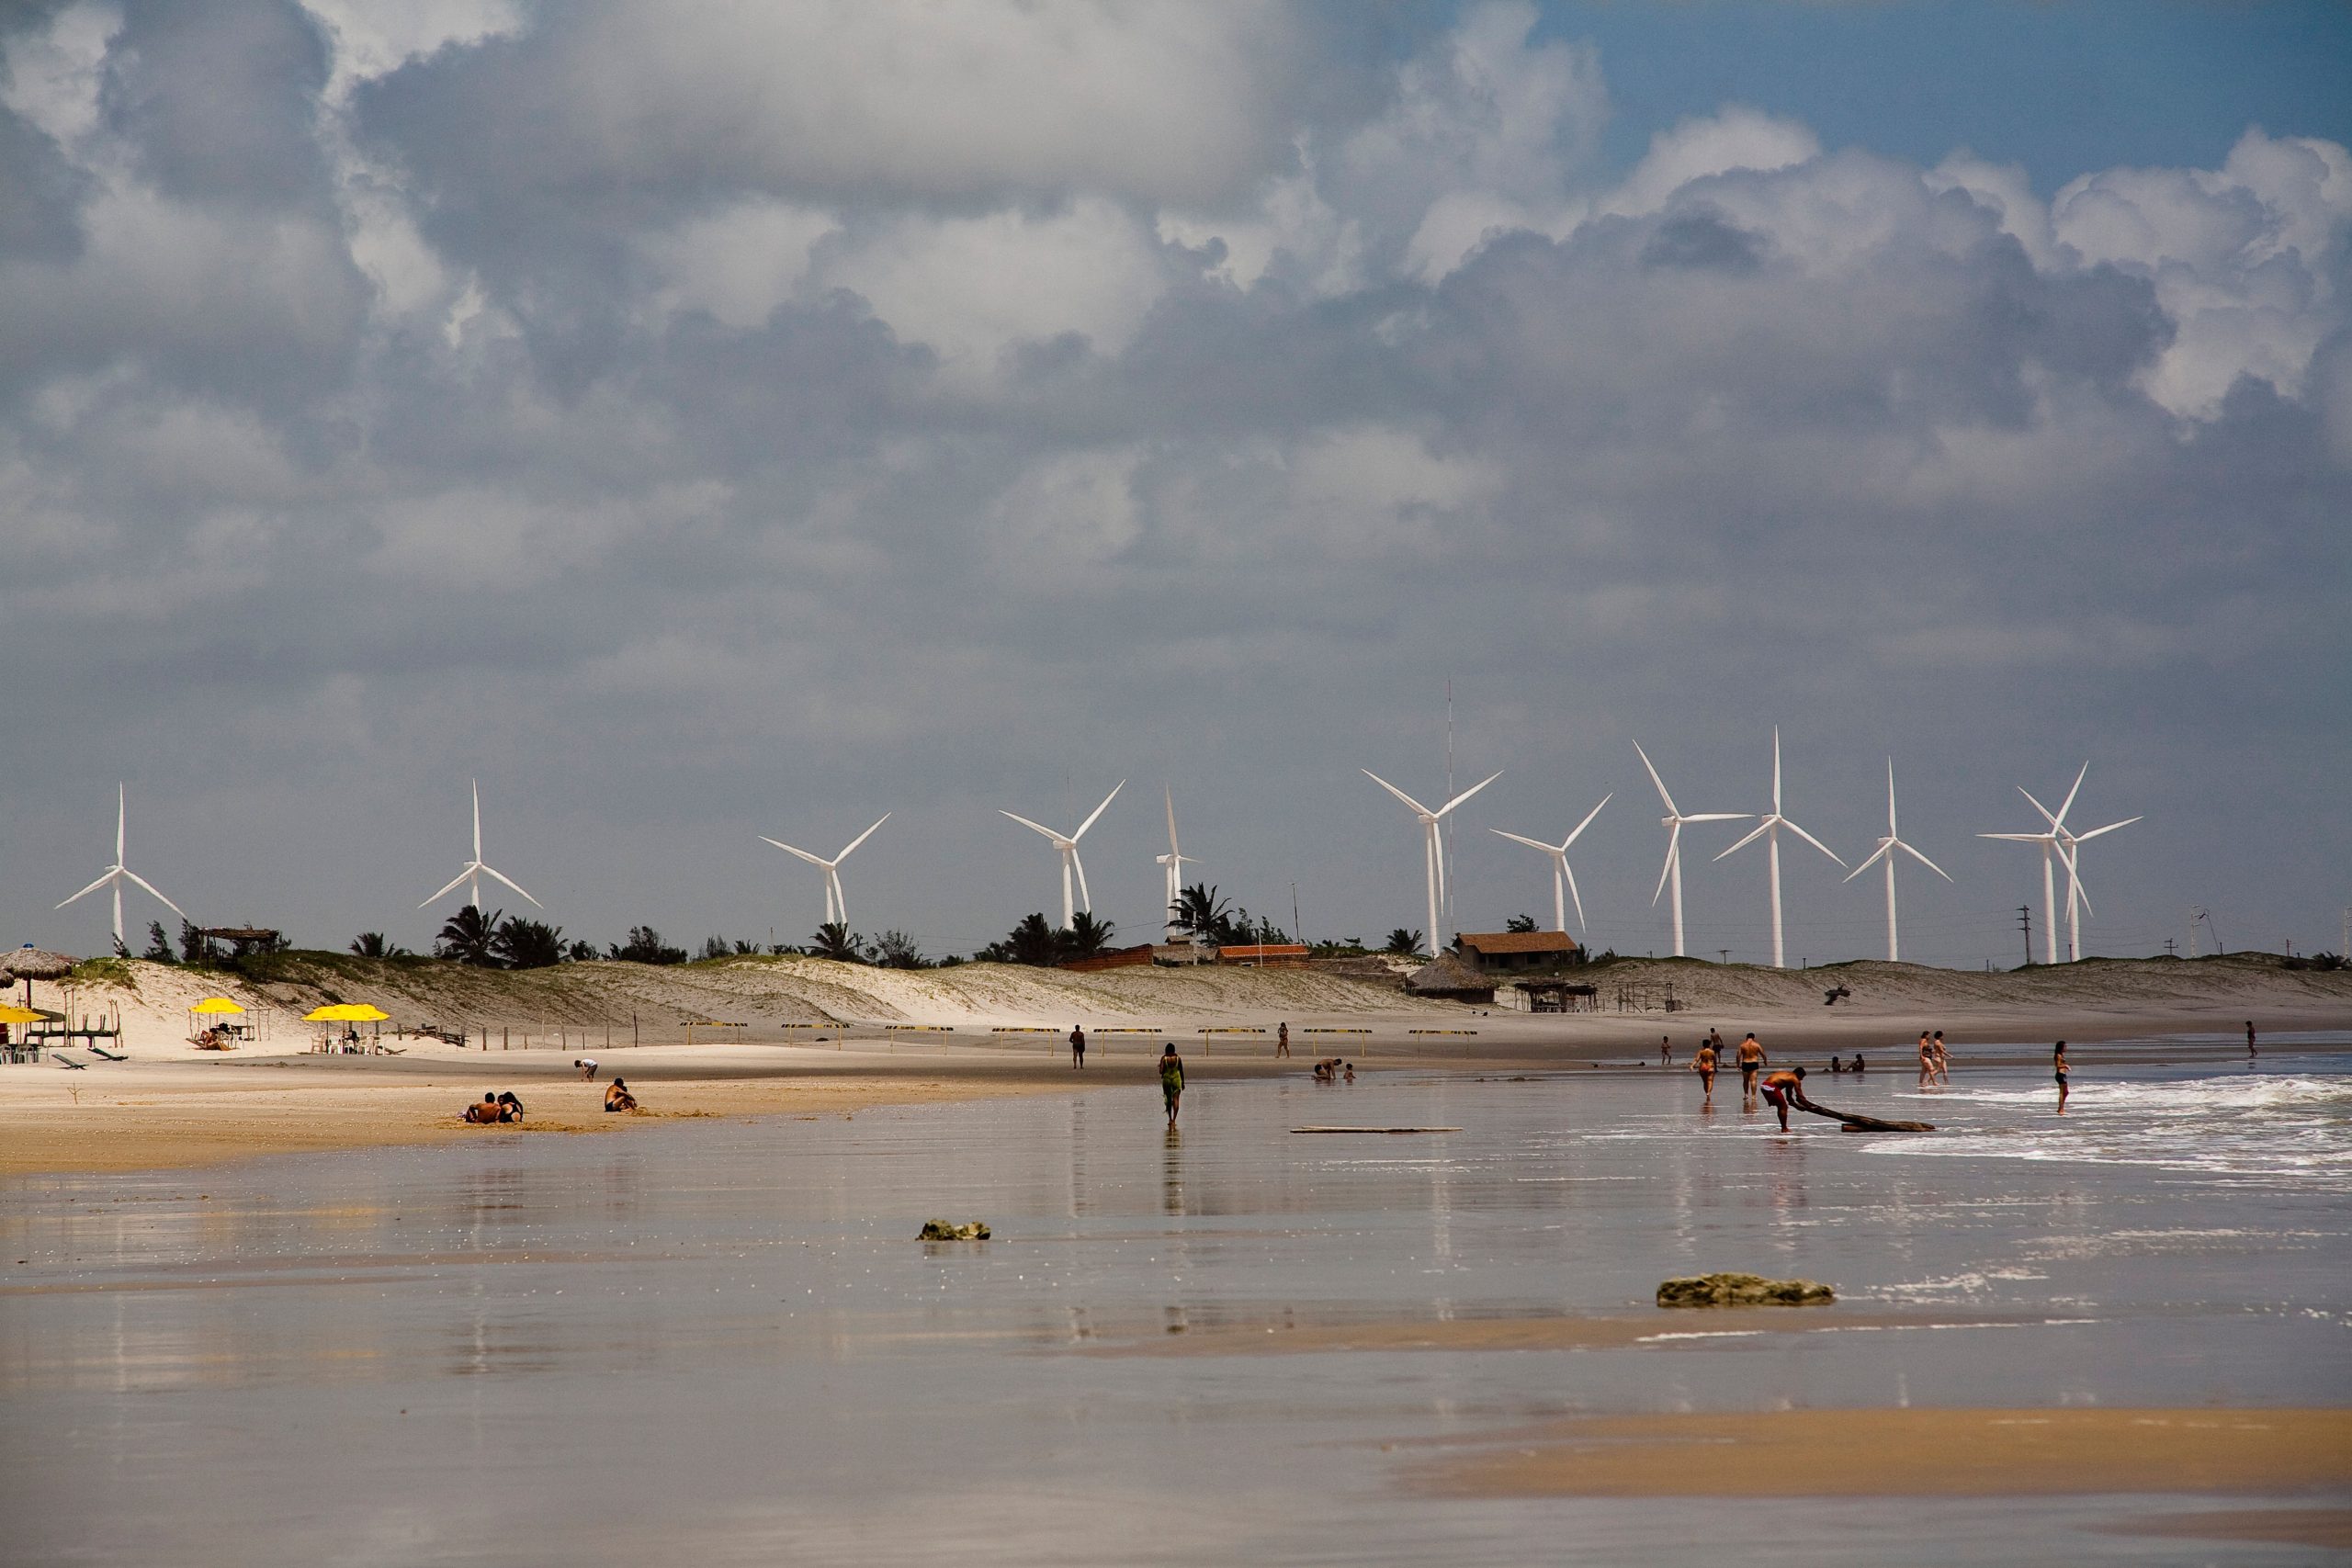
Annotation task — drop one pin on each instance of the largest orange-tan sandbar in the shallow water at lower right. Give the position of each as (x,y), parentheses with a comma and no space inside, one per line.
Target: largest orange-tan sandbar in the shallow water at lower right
(1913,1454)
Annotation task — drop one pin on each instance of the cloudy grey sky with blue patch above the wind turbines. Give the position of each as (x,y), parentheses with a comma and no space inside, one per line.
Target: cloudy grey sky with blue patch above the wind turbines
(740,420)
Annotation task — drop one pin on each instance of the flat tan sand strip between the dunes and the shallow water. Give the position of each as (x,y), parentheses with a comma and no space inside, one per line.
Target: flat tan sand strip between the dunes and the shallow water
(178,1113)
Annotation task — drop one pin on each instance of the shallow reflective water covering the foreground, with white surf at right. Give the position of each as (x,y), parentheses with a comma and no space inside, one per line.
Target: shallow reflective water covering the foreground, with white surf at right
(723,1343)
